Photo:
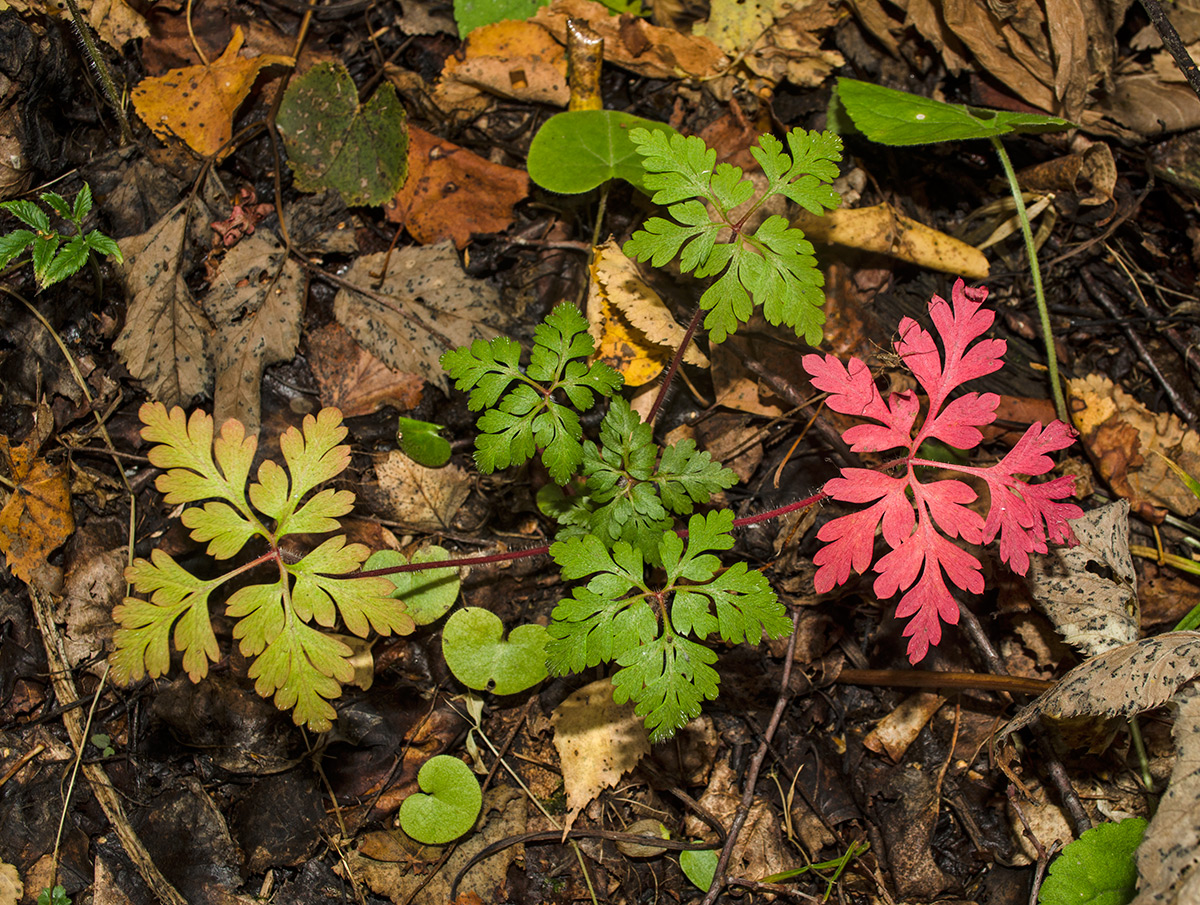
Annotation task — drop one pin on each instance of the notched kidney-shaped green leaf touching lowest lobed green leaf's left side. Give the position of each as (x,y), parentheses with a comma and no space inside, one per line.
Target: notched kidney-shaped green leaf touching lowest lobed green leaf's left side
(477,654)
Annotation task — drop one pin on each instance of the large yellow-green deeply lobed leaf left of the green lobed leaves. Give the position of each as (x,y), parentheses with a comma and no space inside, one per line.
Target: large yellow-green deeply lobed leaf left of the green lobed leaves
(298,663)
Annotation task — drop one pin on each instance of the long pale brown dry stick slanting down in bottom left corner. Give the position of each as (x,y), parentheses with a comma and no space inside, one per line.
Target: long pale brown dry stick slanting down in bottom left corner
(101,787)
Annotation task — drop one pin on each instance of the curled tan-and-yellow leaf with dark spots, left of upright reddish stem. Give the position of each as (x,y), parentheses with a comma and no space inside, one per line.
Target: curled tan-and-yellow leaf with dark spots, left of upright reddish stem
(634,331)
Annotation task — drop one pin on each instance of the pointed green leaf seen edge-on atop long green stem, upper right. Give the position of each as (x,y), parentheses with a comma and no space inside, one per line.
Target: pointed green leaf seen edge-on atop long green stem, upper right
(899,118)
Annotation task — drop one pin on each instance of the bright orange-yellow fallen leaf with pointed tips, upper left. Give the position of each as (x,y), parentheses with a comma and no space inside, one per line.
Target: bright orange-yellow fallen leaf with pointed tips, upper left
(197,104)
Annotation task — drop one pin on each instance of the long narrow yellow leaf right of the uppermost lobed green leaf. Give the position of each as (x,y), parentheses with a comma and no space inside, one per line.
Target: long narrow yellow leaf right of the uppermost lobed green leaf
(885,231)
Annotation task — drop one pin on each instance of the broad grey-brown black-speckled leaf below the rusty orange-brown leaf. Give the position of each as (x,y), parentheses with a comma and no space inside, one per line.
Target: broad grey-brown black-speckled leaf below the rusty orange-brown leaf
(430,307)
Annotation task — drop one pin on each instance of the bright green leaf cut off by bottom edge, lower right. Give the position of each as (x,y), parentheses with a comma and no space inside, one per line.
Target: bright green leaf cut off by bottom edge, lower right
(1100,868)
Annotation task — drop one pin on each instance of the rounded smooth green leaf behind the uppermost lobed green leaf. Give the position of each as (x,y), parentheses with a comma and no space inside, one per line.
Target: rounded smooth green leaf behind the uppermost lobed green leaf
(579,151)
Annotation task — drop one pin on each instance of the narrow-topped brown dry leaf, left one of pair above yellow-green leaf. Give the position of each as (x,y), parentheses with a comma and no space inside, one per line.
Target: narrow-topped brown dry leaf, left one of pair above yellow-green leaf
(165,341)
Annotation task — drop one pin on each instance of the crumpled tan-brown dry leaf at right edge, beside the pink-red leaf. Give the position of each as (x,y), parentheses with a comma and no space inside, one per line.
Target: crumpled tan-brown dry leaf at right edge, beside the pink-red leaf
(1123,437)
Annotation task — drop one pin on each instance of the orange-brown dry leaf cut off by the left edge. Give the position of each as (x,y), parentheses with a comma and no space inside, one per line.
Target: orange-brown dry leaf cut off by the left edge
(37,519)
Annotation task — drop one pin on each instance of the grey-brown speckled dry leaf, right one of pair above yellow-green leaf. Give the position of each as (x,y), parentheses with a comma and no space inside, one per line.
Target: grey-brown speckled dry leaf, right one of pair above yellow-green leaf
(256,304)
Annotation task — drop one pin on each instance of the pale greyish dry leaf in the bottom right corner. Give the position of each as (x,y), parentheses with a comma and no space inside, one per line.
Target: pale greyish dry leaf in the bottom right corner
(1169,856)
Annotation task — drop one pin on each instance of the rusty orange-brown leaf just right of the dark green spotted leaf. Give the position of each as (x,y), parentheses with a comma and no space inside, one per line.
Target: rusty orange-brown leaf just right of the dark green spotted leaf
(452,193)
